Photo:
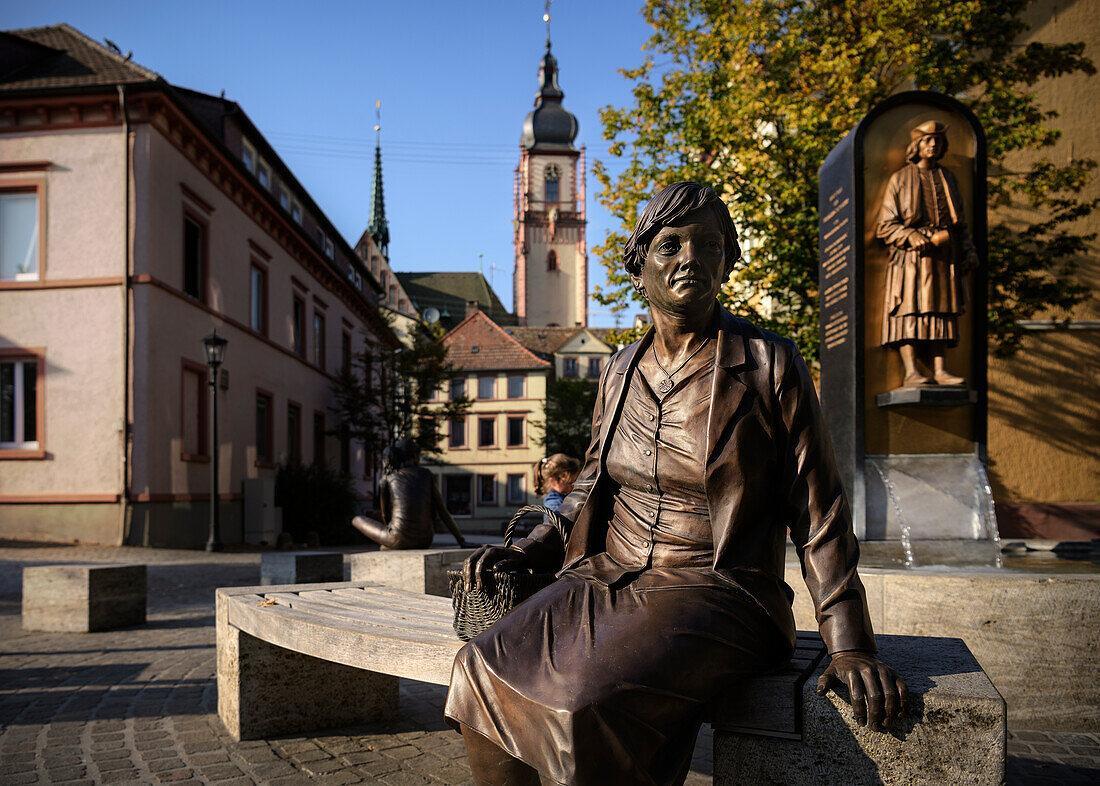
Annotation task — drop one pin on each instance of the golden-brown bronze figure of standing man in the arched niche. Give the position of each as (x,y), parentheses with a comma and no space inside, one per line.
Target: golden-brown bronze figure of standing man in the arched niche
(931,252)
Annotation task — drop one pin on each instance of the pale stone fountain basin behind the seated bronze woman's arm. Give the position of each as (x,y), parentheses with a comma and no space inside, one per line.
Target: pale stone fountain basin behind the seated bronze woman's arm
(1036,632)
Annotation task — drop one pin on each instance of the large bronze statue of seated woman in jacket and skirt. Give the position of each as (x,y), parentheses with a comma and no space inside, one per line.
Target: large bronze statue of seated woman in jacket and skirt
(707,446)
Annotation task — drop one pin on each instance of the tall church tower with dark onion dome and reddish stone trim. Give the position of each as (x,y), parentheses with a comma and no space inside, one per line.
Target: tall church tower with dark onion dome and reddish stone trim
(552,283)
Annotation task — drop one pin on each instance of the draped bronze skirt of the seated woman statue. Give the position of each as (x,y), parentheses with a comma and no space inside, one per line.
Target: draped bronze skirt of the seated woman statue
(597,685)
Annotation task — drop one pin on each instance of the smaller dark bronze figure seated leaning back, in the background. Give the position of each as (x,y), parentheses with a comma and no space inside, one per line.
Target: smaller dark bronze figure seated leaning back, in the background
(411,503)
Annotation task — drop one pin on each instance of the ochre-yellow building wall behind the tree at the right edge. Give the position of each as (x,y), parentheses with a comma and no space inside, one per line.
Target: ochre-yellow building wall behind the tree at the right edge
(1043,405)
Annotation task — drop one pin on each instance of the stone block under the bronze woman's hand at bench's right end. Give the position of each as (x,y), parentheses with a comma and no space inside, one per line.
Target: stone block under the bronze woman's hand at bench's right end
(954,730)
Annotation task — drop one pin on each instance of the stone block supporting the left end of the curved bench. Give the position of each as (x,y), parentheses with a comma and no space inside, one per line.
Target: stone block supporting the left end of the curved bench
(266,691)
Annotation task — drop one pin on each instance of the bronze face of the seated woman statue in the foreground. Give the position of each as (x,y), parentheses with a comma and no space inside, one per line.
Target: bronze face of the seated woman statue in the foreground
(686,264)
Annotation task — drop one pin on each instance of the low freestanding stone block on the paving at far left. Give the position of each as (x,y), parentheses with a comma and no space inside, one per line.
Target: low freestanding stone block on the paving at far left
(83,599)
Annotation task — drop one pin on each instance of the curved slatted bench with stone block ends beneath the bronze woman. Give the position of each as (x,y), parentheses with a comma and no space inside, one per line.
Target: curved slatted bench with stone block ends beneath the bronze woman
(296,659)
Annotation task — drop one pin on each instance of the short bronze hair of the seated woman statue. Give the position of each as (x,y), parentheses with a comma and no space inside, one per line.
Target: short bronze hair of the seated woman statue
(670,205)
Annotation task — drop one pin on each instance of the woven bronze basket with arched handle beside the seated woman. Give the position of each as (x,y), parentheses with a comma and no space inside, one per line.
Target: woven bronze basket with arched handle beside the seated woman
(476,611)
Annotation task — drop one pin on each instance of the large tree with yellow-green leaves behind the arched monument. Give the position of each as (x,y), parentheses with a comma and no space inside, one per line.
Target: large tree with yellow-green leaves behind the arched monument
(751,96)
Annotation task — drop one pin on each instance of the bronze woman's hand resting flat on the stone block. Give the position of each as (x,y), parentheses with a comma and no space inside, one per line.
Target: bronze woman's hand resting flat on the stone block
(877,694)
